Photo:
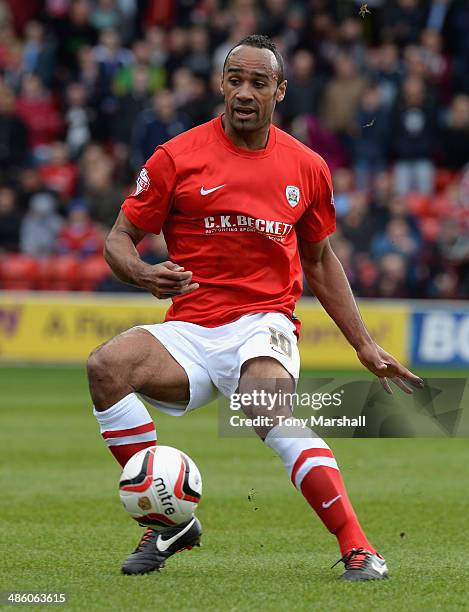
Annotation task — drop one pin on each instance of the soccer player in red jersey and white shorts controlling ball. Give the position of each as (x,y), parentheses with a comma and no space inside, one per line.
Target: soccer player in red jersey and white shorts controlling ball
(244,207)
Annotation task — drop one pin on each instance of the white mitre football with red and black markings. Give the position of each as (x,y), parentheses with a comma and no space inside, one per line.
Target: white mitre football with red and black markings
(160,486)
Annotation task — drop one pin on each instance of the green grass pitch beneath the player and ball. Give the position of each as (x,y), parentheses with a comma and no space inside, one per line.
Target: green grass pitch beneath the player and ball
(63,528)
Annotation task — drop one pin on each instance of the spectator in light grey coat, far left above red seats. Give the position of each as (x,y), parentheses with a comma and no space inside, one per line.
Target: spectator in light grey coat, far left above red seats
(40,227)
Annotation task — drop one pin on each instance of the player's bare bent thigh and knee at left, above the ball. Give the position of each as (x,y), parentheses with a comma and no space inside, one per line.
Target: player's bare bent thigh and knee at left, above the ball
(137,358)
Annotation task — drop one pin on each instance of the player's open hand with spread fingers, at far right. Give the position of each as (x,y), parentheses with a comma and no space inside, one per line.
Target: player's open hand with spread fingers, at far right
(387,368)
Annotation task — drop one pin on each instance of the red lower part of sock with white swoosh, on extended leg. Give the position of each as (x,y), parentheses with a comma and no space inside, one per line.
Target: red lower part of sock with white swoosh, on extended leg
(324,490)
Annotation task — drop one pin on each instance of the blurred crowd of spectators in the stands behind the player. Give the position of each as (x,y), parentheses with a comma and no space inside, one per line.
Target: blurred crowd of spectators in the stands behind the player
(89,88)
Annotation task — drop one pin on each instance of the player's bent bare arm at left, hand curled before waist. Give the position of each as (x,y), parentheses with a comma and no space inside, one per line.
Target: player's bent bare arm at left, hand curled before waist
(163,280)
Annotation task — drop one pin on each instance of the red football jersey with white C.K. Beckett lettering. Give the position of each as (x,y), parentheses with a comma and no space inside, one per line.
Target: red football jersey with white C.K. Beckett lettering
(232,217)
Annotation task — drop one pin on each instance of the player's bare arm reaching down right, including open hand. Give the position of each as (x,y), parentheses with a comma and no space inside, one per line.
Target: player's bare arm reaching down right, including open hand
(327,279)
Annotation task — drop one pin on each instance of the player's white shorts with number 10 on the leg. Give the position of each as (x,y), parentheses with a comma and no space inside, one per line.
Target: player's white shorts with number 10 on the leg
(213,356)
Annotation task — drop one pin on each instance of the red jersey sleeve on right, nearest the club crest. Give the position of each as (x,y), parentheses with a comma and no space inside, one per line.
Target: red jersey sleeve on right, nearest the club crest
(318,220)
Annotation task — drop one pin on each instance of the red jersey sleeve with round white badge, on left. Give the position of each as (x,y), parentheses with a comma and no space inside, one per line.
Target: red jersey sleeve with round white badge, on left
(148,206)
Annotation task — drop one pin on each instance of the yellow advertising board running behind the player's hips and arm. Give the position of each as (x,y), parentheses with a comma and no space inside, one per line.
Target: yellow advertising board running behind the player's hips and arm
(66,327)
